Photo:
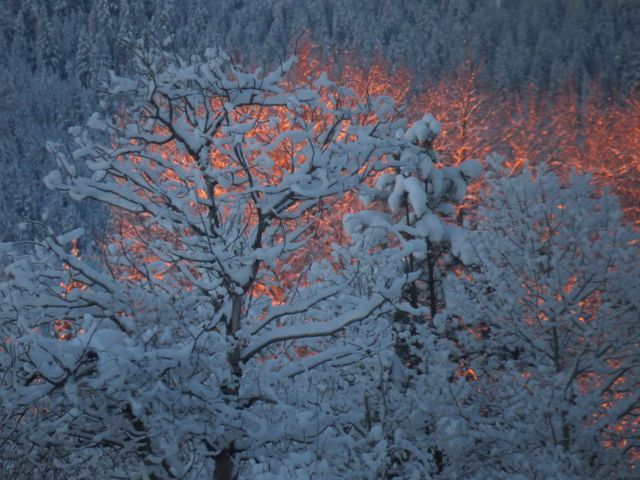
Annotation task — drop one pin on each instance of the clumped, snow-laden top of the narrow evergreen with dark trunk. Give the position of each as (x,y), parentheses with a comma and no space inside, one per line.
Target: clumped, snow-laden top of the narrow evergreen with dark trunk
(418,197)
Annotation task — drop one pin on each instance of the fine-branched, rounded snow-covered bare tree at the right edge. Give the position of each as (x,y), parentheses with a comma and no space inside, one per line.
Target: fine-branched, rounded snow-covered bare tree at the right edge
(548,322)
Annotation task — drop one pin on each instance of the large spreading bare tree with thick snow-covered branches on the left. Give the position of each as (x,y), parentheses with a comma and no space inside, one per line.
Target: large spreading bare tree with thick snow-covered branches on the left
(172,365)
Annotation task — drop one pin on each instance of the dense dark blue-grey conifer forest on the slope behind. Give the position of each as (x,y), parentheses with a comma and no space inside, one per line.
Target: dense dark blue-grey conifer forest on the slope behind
(54,56)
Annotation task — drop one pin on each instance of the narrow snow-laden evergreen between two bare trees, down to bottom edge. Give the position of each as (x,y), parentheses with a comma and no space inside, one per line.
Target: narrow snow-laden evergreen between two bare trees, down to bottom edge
(403,245)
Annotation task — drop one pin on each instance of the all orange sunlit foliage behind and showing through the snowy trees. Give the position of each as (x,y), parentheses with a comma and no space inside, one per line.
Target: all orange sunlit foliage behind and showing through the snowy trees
(560,128)
